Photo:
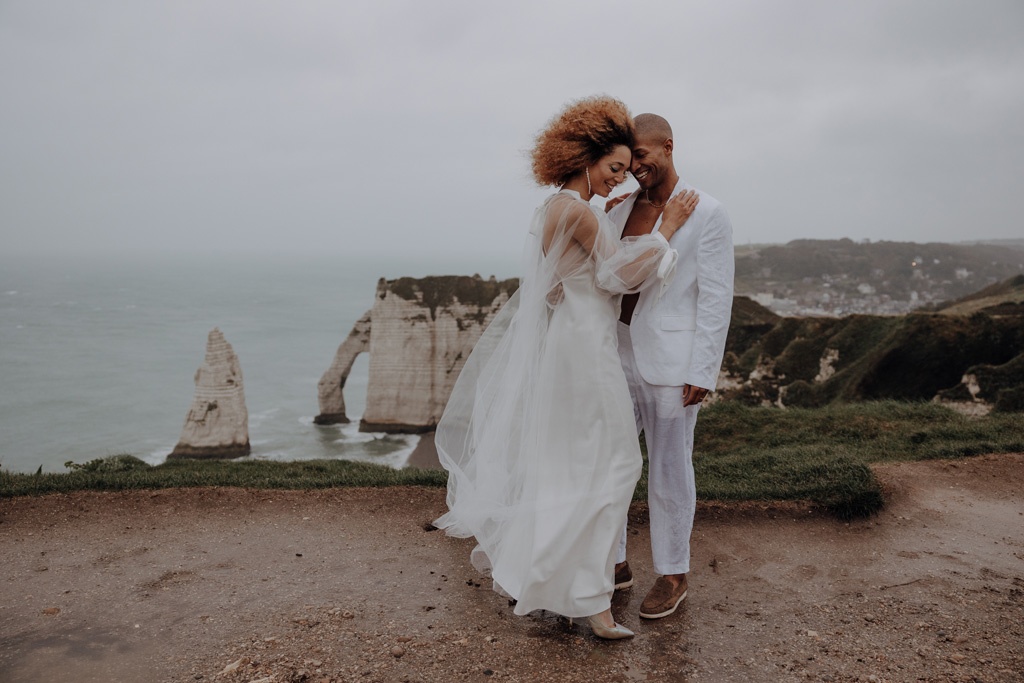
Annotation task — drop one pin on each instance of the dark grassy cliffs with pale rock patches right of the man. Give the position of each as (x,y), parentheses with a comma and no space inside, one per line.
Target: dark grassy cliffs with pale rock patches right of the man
(973,364)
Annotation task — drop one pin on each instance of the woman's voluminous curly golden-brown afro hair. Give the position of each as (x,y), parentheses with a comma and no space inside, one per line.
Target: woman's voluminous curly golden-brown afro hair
(584,133)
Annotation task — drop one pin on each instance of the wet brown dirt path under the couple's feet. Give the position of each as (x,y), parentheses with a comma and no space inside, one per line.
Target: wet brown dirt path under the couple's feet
(346,585)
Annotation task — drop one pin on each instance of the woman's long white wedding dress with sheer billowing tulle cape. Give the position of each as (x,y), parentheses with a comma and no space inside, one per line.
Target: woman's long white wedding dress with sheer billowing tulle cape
(539,436)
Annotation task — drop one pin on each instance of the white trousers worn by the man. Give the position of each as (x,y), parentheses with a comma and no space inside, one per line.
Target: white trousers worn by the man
(672,494)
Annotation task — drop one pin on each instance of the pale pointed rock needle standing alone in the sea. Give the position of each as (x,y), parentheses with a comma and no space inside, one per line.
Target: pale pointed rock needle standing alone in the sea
(218,424)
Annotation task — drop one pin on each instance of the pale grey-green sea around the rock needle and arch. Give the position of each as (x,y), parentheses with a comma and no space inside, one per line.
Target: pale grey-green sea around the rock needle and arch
(99,356)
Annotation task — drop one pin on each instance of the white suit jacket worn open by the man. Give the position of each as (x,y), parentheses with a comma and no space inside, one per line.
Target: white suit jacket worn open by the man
(679,333)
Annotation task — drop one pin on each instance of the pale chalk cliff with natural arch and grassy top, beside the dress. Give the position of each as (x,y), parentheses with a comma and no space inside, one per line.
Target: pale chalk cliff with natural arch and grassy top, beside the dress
(419,334)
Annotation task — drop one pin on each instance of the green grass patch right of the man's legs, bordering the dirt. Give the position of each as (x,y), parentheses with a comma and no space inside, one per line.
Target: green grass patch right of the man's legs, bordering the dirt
(823,456)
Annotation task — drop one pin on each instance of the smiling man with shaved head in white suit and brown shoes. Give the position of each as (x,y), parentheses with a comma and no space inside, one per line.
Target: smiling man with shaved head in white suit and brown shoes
(671,343)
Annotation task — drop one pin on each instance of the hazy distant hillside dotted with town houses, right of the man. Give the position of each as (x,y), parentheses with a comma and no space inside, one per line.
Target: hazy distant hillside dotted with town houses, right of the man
(836,278)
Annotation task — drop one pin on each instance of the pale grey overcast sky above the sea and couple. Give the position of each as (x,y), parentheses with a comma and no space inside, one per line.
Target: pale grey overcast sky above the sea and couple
(364,129)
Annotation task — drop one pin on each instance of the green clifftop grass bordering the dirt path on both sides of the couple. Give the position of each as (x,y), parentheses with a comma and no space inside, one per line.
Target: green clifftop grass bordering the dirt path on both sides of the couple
(822,456)
